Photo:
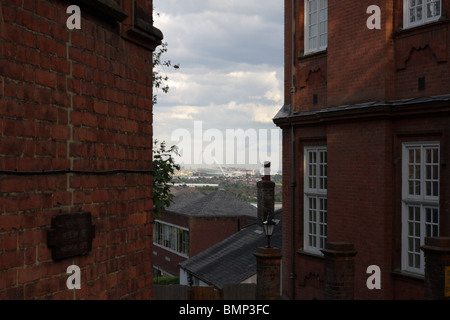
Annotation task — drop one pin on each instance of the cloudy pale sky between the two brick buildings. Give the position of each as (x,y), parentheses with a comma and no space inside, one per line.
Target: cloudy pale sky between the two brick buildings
(229,85)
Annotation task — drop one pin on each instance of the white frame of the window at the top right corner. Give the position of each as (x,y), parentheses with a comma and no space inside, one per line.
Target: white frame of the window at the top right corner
(423,6)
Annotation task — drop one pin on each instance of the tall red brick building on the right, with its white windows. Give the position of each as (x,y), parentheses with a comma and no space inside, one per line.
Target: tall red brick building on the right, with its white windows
(365,140)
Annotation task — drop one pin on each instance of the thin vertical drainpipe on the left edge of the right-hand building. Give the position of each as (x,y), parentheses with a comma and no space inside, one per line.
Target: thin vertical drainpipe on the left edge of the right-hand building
(293,183)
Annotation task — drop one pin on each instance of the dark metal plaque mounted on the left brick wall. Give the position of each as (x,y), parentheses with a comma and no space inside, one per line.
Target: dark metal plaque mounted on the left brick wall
(71,235)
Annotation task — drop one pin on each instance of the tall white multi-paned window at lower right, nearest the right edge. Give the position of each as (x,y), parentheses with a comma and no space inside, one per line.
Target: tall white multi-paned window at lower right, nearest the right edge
(420,205)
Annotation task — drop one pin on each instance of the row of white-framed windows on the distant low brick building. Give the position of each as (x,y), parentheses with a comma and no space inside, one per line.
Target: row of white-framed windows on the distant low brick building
(172,238)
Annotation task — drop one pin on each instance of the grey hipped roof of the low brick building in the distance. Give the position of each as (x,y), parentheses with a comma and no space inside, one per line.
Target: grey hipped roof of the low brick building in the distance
(218,203)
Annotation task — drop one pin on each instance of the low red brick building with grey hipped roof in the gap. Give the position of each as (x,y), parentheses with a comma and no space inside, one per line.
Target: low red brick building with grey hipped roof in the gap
(195,222)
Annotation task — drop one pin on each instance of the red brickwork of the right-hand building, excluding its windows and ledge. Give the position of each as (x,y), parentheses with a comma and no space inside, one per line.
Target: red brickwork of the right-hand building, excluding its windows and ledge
(364,153)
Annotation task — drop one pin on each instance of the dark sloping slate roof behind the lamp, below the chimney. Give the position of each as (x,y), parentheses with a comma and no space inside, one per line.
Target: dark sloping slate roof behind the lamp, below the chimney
(232,260)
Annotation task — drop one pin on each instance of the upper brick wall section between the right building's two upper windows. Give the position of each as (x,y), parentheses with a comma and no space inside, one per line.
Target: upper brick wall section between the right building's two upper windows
(357,56)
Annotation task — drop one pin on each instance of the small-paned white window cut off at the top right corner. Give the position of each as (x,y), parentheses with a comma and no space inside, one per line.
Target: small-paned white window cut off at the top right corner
(418,12)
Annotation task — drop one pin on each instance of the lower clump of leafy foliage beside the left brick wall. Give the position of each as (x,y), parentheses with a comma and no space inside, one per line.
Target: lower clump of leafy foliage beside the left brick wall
(164,167)
